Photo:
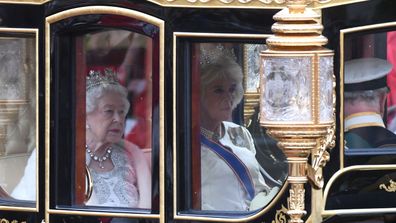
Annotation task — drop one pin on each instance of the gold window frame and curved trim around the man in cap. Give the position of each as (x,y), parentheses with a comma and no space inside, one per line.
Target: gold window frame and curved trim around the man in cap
(342,169)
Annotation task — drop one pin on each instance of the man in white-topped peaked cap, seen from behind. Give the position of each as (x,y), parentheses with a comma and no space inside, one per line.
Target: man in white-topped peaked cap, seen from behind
(365,92)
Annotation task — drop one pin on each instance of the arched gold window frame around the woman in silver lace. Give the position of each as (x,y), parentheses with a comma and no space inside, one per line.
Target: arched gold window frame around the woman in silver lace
(158,141)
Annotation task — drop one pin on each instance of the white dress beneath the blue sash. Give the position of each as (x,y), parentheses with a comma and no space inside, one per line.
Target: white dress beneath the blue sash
(220,188)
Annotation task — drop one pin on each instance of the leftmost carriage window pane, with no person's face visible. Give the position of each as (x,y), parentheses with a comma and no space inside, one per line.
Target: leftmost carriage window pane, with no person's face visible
(18,141)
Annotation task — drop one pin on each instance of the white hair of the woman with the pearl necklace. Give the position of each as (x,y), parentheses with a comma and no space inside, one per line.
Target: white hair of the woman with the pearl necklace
(95,93)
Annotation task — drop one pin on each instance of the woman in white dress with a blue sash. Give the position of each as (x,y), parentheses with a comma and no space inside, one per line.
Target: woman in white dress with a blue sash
(230,173)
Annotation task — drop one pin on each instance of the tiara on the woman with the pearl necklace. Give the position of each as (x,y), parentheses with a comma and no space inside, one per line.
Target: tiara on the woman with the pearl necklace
(96,78)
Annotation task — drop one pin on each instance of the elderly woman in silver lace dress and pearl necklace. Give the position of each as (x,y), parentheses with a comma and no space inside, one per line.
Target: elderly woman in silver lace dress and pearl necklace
(120,173)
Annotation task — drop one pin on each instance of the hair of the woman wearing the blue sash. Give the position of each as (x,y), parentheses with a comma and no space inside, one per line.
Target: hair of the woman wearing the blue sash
(223,68)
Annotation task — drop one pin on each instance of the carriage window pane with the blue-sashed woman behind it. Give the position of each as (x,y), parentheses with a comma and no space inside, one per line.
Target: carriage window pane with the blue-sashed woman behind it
(240,168)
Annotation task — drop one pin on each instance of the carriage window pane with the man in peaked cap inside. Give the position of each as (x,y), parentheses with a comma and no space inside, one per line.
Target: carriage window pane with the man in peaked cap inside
(369,98)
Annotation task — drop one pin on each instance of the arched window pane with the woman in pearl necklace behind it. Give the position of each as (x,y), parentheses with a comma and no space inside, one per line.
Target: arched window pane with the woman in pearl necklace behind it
(118,119)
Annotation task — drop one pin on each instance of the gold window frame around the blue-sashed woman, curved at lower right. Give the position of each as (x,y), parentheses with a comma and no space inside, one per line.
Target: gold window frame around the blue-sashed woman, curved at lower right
(181,139)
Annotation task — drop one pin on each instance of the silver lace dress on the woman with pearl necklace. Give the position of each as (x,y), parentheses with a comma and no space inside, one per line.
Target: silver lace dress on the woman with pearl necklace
(118,187)
